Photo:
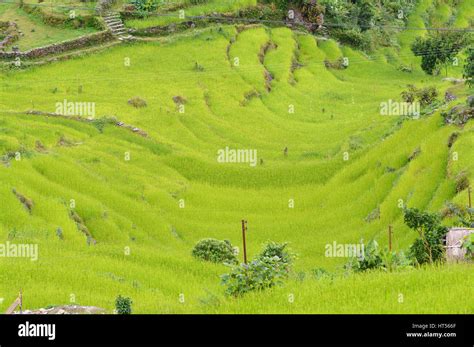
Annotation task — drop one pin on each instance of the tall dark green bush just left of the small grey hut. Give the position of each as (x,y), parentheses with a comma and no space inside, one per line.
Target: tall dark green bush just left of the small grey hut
(429,246)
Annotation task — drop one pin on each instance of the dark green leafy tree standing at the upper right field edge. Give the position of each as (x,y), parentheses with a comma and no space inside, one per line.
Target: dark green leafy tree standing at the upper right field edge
(438,49)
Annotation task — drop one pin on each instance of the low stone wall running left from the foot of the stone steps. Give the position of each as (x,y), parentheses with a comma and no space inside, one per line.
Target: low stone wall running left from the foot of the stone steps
(56,48)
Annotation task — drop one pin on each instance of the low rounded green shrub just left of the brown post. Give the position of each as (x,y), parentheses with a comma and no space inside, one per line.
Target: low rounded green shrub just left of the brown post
(215,251)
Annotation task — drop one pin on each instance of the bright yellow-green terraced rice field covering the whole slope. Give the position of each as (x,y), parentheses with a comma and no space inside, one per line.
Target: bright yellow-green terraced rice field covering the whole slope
(133,208)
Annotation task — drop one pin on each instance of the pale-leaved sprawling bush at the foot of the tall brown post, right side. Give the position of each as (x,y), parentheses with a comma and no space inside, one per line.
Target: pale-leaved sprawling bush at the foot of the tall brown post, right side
(268,269)
